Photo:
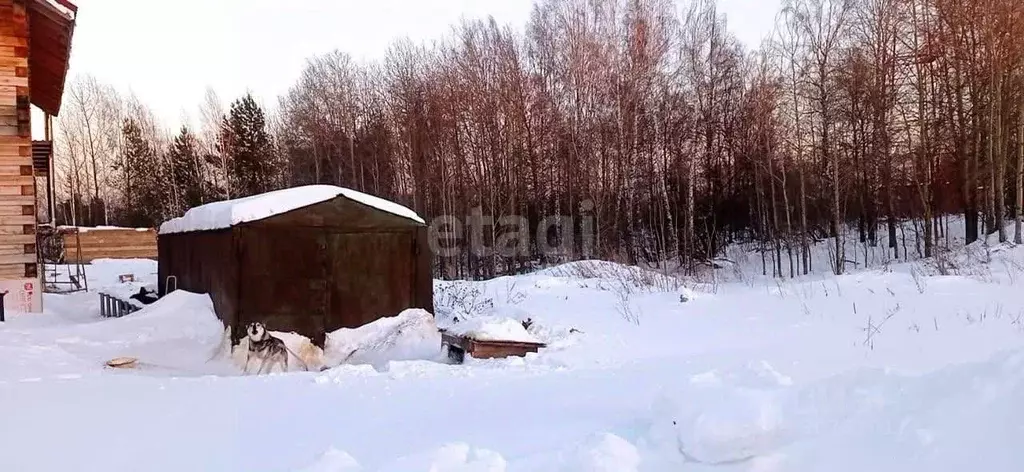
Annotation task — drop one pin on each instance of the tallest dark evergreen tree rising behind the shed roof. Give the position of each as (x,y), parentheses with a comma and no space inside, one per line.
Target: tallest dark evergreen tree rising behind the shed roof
(246,143)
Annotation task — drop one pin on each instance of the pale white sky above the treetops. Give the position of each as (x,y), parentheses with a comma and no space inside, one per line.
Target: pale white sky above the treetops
(168,53)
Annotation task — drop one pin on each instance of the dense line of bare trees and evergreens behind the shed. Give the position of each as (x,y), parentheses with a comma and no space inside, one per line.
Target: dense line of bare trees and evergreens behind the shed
(648,116)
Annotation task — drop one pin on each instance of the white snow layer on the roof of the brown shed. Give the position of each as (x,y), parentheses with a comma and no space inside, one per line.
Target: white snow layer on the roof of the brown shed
(229,213)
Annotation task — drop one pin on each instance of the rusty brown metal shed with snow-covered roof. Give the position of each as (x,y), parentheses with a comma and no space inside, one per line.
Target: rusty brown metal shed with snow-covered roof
(310,260)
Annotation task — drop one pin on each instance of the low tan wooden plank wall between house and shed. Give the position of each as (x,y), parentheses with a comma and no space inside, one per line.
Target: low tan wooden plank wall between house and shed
(108,243)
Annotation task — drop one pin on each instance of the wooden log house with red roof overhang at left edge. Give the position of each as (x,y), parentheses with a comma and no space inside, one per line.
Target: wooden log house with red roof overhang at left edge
(35,46)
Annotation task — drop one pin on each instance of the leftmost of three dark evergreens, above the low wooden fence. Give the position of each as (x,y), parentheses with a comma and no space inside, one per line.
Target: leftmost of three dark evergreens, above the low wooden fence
(141,180)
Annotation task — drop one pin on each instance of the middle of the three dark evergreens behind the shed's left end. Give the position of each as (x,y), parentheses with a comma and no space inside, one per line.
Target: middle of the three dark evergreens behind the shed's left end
(188,179)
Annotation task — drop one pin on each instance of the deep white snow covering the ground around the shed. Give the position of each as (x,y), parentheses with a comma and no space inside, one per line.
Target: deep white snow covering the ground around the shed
(901,367)
